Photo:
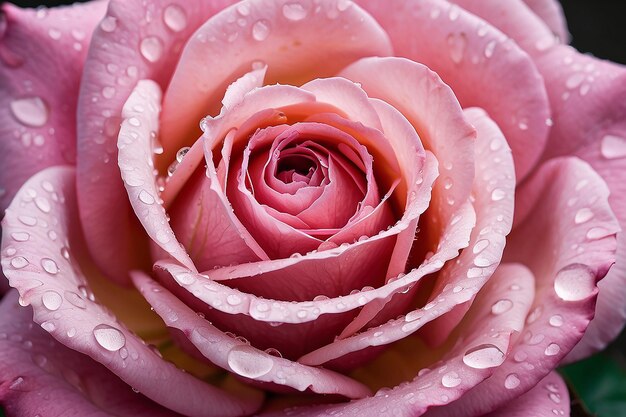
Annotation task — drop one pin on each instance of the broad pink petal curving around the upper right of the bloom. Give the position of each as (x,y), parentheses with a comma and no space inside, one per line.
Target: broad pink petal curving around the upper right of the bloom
(484,68)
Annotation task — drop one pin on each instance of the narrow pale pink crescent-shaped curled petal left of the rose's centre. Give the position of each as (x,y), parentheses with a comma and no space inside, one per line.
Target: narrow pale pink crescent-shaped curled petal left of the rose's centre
(135,152)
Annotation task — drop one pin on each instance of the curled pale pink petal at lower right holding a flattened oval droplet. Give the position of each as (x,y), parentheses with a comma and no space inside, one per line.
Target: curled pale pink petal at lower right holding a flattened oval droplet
(482,346)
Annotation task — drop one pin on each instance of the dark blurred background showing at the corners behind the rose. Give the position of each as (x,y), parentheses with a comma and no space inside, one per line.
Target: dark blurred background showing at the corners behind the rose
(597,384)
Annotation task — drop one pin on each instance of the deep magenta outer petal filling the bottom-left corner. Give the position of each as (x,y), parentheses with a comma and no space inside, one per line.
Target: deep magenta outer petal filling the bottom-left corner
(34,368)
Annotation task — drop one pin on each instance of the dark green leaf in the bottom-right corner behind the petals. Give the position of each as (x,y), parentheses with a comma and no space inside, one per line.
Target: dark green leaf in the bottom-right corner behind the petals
(598,384)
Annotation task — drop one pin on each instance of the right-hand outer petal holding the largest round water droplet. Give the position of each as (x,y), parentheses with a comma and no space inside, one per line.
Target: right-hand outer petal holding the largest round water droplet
(566,266)
